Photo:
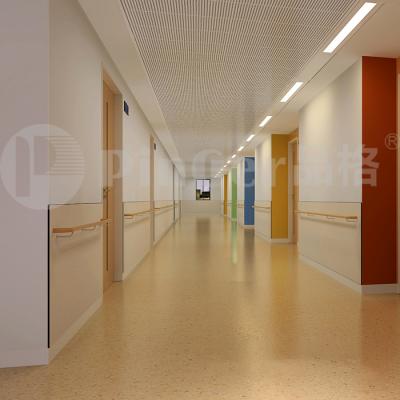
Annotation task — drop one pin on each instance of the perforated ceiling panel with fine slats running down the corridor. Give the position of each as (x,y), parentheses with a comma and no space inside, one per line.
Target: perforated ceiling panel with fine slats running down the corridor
(217,65)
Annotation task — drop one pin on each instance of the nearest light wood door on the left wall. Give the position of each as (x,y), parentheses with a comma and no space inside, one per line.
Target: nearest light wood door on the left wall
(108,186)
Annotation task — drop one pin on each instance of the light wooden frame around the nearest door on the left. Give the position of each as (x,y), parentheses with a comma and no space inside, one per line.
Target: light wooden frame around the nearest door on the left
(118,208)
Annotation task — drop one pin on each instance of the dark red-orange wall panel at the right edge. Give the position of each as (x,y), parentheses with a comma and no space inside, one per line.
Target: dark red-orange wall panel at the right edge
(379,205)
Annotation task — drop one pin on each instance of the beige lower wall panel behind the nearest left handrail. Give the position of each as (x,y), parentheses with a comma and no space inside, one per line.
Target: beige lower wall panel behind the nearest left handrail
(76,268)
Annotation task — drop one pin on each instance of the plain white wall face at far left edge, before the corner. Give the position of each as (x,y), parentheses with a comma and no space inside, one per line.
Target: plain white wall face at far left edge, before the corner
(24,102)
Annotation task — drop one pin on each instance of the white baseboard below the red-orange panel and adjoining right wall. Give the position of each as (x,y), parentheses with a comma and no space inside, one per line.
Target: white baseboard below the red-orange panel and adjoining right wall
(362,289)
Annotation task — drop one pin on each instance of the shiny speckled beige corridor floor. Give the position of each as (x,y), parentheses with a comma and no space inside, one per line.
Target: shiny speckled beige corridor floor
(217,313)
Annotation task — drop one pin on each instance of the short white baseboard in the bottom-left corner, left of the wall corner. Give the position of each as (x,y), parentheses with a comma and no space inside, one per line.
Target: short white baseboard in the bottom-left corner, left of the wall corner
(22,358)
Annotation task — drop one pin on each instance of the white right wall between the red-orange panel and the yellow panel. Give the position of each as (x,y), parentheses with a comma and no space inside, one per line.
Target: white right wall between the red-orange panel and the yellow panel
(330,126)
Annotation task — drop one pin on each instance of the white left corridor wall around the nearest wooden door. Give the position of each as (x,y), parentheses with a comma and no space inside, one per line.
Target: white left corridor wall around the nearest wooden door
(76,90)
